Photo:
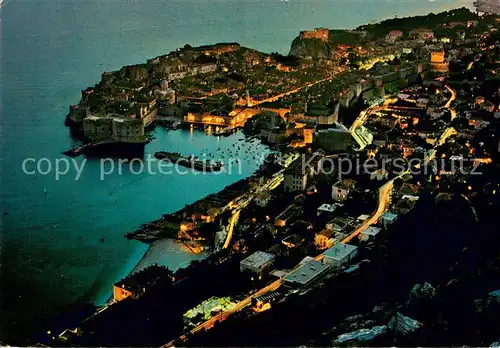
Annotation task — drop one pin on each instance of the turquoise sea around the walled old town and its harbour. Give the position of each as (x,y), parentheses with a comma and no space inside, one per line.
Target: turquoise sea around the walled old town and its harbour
(51,253)
